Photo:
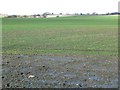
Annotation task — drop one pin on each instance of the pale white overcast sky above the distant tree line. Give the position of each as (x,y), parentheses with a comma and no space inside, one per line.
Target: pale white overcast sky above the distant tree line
(57,6)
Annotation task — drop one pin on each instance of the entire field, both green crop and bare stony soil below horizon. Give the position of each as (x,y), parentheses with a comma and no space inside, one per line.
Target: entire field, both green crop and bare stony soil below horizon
(79,44)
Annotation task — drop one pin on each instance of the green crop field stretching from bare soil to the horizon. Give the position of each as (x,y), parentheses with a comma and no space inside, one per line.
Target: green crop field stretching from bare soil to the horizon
(78,35)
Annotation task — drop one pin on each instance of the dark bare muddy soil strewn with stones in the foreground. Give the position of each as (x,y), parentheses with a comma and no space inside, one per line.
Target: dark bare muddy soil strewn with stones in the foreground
(48,71)
